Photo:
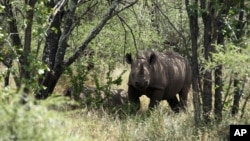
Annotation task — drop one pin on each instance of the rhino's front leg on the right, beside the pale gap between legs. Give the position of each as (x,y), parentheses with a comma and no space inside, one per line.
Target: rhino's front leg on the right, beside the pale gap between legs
(155,97)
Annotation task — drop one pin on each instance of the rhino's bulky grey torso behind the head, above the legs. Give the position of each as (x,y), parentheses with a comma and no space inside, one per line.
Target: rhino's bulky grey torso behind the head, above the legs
(169,73)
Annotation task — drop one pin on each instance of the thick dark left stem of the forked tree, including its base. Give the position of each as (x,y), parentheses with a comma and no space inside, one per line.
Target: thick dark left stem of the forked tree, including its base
(52,42)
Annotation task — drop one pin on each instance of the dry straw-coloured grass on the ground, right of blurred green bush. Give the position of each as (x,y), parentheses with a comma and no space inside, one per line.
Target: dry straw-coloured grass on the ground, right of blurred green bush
(157,124)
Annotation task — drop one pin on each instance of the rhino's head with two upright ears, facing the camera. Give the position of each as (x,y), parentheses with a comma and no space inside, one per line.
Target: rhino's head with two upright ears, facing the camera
(141,70)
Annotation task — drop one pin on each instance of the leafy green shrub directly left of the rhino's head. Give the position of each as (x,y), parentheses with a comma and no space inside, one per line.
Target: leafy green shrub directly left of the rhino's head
(95,84)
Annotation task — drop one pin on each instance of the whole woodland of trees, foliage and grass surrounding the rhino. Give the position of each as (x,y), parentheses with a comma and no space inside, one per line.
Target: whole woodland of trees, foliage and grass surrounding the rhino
(52,47)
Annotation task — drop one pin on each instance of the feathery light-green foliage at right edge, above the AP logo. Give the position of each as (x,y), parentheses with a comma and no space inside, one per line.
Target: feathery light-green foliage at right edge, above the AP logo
(235,63)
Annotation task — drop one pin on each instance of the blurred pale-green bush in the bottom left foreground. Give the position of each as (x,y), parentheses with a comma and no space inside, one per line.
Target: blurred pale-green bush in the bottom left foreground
(31,121)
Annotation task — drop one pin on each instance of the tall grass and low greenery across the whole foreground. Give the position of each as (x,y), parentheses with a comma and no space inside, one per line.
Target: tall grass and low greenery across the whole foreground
(53,120)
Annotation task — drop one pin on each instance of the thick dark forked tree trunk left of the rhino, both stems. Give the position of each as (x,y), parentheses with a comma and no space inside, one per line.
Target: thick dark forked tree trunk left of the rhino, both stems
(55,47)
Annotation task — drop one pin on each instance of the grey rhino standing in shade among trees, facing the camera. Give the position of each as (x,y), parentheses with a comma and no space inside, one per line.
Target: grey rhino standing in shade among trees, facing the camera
(160,76)
